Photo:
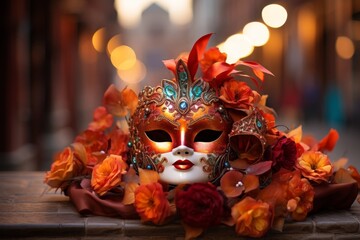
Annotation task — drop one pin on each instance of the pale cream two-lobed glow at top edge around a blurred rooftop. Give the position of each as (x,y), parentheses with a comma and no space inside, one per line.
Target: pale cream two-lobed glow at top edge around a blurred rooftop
(129,11)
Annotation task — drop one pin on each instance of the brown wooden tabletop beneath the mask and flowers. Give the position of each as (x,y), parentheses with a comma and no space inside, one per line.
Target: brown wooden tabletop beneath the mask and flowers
(29,209)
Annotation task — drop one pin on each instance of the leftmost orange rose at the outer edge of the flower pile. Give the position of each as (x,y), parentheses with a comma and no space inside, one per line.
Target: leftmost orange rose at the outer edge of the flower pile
(66,166)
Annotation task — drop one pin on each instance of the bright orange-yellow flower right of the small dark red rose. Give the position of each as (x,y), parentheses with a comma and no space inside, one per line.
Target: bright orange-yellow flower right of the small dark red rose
(315,166)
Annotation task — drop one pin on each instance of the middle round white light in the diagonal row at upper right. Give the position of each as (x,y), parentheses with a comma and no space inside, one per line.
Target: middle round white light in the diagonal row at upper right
(257,33)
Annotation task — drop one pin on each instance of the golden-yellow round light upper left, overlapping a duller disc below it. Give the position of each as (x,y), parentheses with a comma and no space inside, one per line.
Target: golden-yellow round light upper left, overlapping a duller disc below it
(123,57)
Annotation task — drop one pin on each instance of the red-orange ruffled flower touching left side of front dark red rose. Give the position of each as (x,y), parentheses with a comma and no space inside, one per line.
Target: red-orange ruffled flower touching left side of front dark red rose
(151,203)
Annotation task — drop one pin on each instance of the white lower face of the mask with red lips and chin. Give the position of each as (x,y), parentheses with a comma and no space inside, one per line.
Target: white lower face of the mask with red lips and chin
(183,165)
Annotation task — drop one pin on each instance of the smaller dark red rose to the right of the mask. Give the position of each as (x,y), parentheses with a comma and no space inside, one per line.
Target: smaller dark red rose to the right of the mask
(284,154)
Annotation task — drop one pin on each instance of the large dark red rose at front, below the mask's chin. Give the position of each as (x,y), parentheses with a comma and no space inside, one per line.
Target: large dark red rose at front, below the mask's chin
(201,205)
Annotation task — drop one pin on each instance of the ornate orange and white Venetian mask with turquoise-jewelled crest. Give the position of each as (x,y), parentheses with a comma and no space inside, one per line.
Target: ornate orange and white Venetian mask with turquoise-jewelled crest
(181,130)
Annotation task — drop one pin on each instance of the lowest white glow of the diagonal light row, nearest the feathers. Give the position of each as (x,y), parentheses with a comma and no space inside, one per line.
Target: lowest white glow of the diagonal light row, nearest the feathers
(236,46)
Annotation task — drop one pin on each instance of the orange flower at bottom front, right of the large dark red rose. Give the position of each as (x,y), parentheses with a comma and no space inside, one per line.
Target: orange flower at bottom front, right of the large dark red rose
(252,218)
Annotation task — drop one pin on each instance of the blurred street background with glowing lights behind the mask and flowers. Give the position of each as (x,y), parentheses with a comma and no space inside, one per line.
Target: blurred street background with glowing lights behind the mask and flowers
(59,56)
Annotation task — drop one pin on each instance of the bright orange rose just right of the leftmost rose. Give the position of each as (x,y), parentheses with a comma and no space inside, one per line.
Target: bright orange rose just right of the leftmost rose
(107,175)
